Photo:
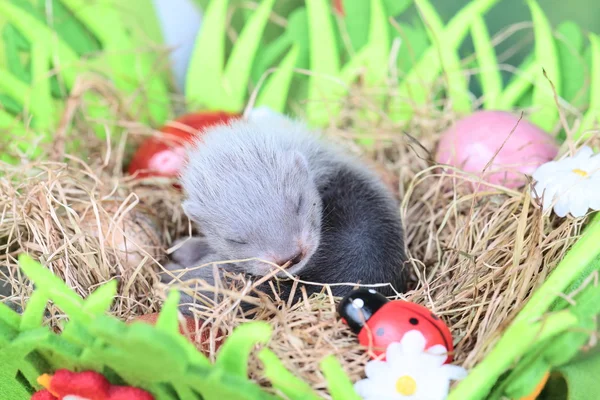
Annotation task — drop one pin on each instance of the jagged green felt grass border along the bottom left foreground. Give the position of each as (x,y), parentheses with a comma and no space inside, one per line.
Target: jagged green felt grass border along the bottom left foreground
(150,357)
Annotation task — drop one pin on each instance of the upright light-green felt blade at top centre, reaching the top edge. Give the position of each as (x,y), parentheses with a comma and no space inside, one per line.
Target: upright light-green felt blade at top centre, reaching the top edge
(324,91)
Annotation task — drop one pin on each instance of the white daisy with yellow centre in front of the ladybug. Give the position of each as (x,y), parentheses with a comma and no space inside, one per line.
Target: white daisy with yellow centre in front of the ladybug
(409,372)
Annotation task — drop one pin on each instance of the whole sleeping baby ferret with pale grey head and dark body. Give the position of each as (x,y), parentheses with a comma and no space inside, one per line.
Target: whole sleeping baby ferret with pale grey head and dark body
(273,190)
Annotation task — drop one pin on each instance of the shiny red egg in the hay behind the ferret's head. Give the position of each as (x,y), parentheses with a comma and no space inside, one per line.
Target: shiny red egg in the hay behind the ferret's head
(165,155)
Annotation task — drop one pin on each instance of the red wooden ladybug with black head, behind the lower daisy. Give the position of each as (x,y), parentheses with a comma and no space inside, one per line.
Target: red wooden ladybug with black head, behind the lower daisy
(378,321)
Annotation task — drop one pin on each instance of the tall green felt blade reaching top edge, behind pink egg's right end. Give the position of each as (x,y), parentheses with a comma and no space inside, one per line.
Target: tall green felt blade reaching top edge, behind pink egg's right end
(547,58)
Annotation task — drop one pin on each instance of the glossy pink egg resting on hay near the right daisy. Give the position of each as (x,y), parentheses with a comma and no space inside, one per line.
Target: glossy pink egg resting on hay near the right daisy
(472,143)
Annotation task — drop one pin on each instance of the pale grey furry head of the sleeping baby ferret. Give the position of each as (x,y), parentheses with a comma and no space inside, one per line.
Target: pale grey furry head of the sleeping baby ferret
(252,194)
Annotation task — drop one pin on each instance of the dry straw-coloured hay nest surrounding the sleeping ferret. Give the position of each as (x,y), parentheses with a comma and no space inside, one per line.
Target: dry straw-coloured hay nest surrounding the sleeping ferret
(475,258)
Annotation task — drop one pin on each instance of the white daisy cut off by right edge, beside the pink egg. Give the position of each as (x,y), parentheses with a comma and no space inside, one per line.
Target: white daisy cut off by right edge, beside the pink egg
(571,185)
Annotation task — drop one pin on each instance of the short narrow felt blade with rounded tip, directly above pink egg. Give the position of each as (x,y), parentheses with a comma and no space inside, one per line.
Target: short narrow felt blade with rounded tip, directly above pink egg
(489,73)
